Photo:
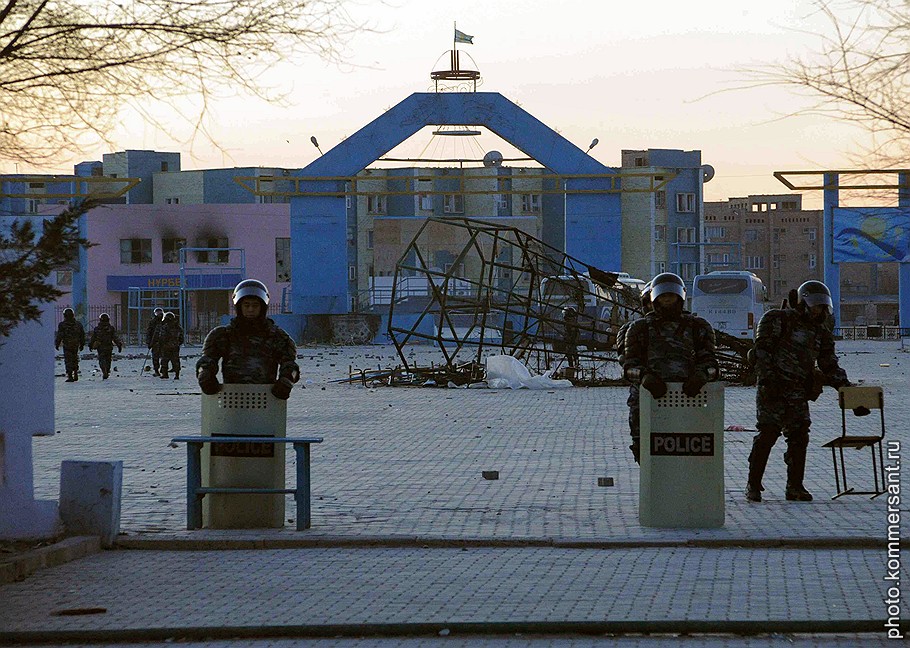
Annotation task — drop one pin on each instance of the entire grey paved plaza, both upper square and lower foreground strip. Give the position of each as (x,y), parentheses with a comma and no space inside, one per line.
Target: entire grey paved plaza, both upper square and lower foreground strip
(409,538)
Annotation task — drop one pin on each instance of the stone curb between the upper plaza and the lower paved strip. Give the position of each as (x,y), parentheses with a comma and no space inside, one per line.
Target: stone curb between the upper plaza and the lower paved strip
(357,542)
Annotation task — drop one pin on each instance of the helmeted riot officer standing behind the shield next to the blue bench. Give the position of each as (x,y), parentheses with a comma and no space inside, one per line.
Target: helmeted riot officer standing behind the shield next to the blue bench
(252,349)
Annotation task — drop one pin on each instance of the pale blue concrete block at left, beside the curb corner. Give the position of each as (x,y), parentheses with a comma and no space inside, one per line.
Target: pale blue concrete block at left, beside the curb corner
(90,494)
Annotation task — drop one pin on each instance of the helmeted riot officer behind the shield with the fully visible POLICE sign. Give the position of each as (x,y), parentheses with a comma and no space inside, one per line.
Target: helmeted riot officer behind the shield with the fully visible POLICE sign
(669,345)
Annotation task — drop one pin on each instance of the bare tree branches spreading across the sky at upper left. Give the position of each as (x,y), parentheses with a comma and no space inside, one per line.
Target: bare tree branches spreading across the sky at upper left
(68,67)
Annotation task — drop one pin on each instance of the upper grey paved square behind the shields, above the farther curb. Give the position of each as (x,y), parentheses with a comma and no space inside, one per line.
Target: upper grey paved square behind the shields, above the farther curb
(407,462)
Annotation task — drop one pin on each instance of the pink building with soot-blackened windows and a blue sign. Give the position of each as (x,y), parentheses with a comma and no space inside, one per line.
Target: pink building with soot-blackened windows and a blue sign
(136,263)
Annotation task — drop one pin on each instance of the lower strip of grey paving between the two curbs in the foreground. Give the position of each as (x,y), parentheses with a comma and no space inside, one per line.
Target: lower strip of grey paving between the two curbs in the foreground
(148,590)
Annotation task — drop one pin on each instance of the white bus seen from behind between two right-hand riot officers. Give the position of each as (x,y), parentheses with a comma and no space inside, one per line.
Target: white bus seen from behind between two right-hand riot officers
(732,301)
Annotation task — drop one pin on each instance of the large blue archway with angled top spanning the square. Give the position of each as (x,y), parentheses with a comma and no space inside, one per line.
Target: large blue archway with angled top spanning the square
(319,275)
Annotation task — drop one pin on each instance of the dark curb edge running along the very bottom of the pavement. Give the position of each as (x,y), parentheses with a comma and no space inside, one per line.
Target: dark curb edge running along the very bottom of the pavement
(436,629)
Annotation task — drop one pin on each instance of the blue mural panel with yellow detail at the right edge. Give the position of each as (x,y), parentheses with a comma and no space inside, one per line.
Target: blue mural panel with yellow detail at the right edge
(871,235)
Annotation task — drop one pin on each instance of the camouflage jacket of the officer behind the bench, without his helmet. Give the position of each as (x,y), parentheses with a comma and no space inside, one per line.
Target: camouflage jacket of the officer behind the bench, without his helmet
(251,352)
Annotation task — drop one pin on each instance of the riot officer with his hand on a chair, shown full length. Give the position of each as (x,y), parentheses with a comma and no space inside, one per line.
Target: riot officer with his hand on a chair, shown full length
(789,343)
